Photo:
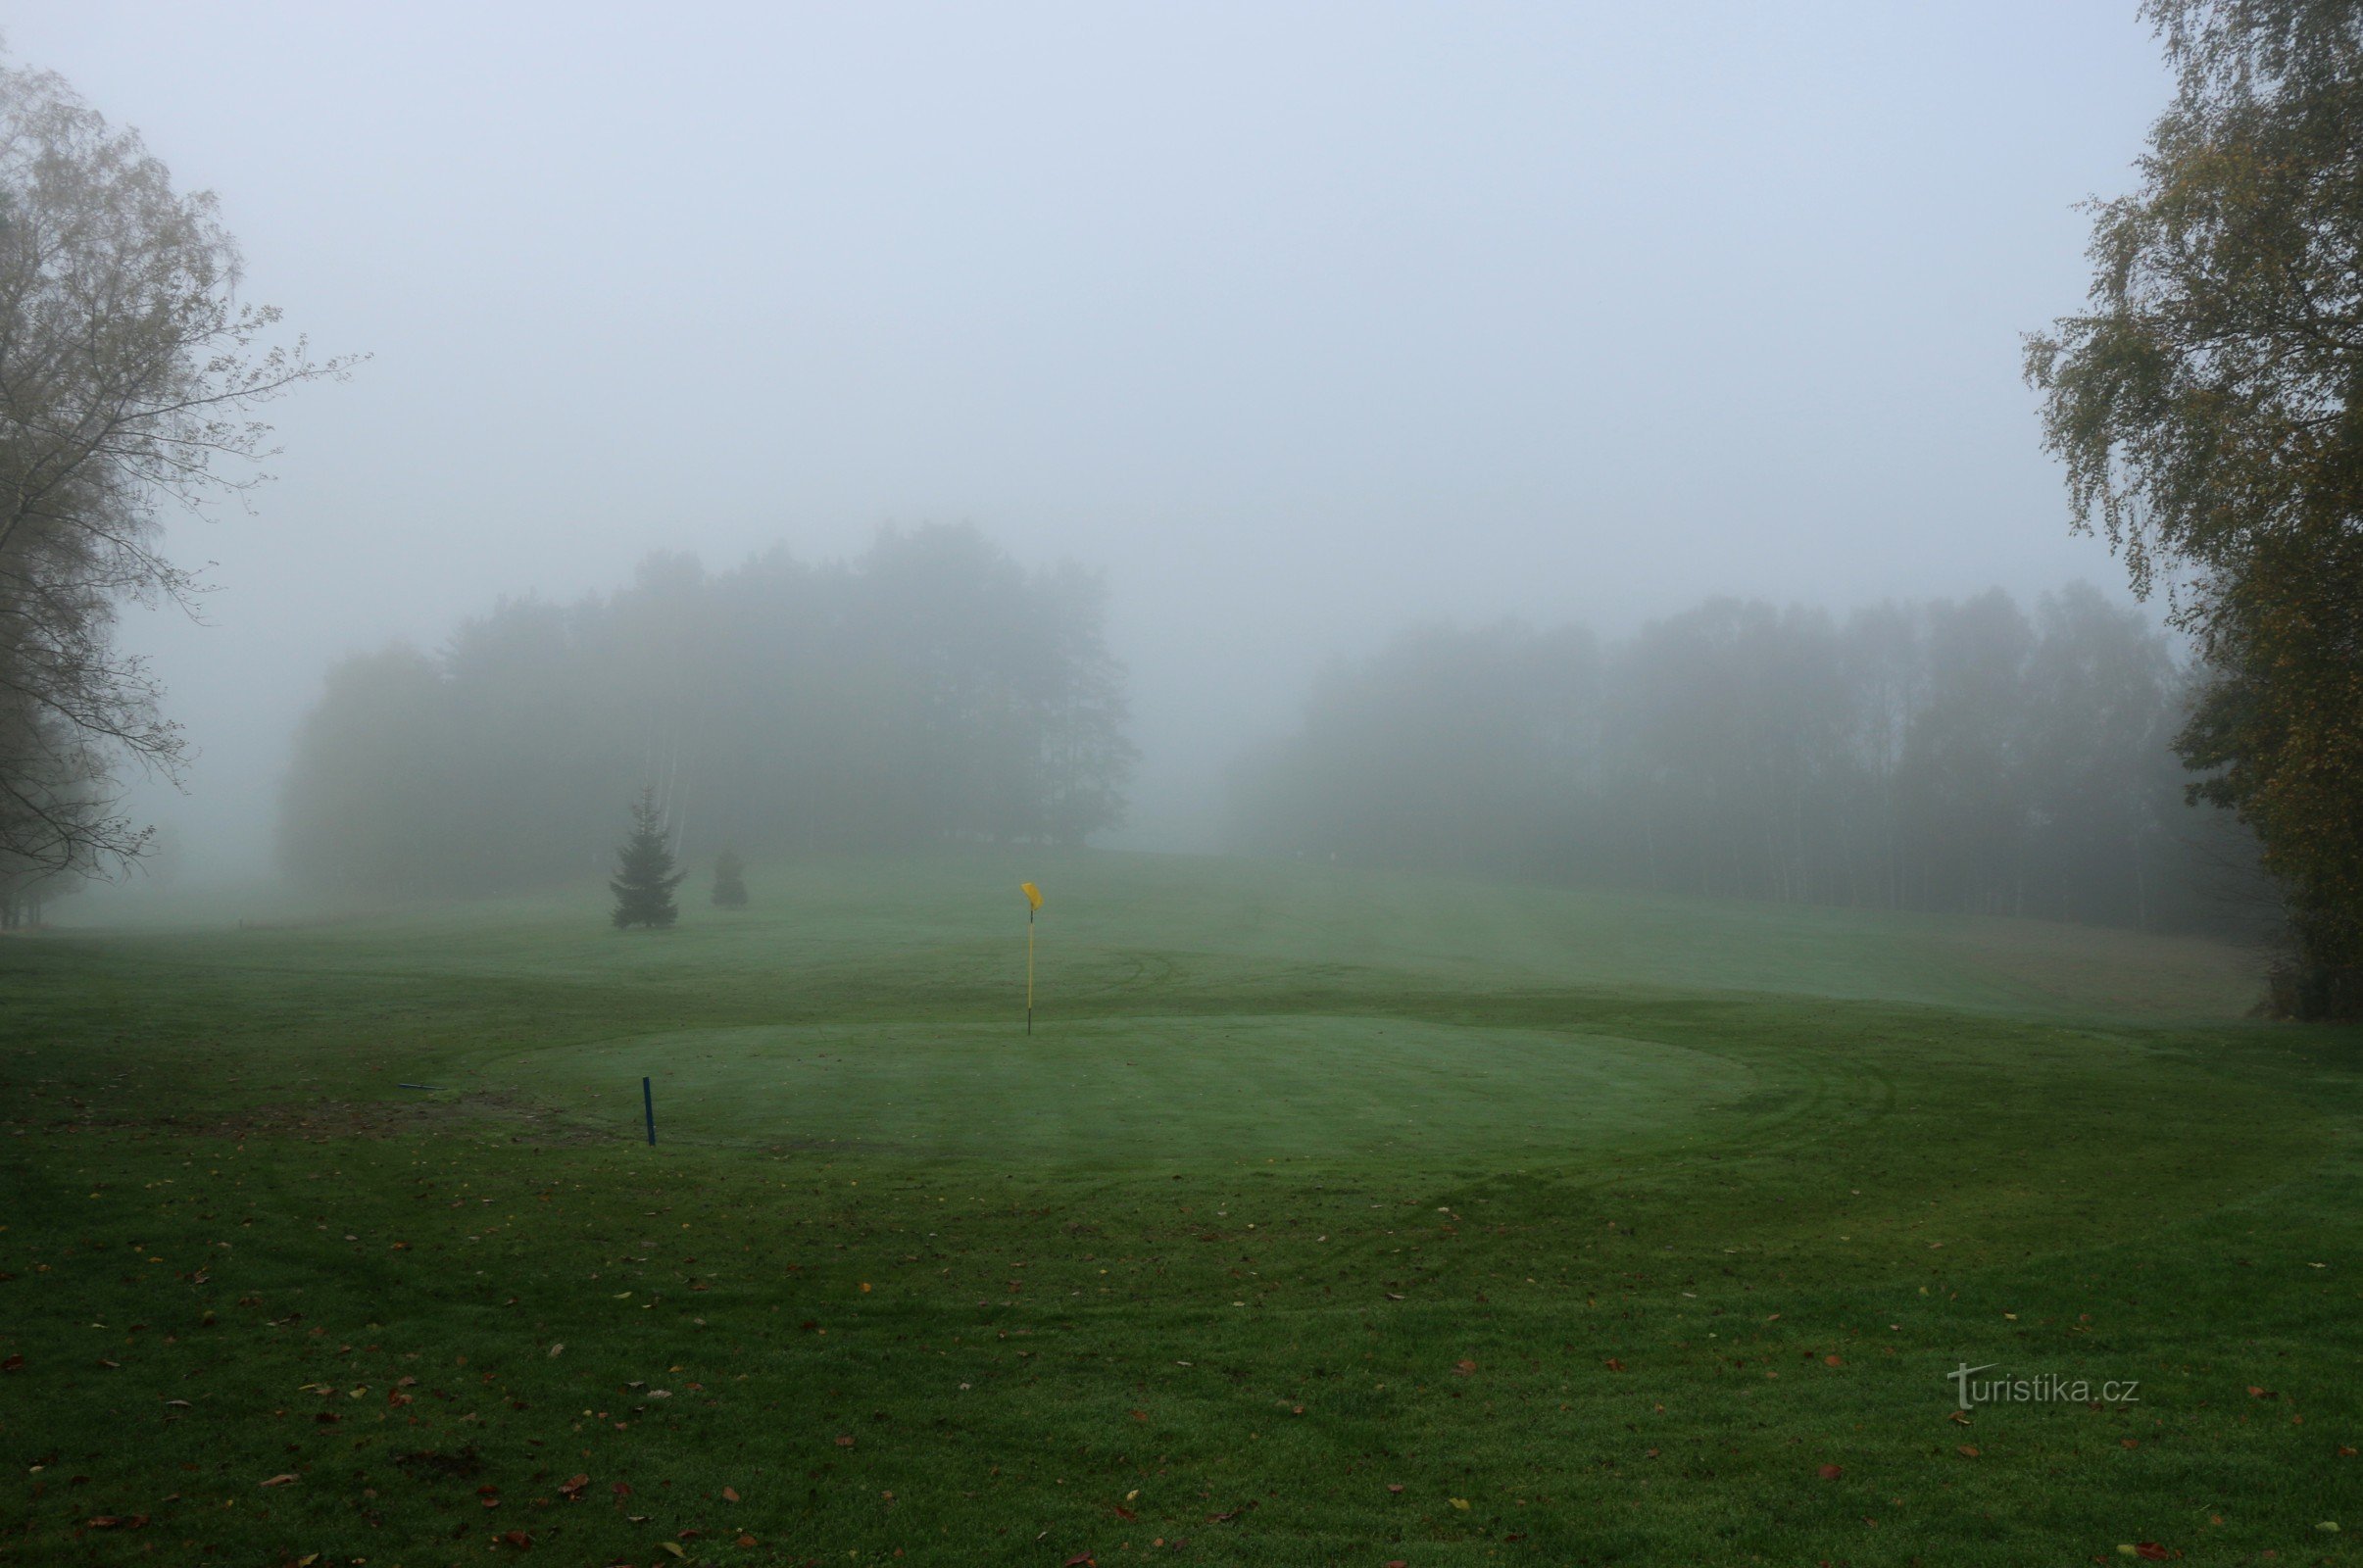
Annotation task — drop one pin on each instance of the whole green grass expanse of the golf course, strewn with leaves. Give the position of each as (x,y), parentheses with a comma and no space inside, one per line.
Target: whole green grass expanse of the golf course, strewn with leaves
(1324,1220)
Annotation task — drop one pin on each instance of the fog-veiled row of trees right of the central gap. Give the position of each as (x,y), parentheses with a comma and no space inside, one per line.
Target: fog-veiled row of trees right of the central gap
(1958,757)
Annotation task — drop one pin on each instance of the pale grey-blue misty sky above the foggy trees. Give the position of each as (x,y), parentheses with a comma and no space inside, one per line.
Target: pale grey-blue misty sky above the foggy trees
(1301,320)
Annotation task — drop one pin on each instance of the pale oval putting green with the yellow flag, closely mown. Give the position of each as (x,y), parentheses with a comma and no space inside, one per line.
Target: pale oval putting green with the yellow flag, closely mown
(1133,1092)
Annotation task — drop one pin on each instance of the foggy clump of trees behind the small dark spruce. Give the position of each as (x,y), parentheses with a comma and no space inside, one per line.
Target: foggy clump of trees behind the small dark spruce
(930,691)
